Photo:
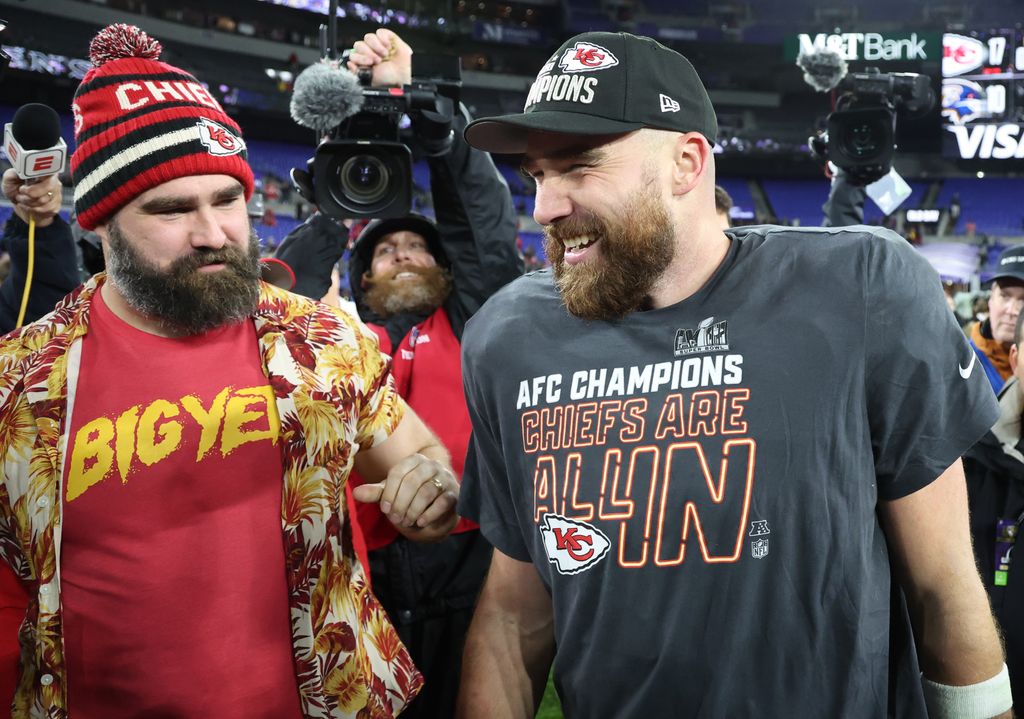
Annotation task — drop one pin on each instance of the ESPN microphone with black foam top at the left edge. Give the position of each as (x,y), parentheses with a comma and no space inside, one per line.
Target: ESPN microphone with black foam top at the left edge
(33,142)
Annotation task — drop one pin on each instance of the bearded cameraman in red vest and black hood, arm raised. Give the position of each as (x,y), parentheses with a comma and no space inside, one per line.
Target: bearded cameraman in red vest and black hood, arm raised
(430,590)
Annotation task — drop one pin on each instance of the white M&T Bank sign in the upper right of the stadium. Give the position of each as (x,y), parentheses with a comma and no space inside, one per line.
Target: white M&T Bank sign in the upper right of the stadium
(872,48)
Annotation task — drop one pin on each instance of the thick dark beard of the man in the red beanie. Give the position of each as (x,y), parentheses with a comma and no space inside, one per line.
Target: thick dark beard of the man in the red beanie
(182,299)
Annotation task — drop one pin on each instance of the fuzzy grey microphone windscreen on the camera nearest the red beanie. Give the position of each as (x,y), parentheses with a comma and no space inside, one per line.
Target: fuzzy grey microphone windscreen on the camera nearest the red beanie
(325,96)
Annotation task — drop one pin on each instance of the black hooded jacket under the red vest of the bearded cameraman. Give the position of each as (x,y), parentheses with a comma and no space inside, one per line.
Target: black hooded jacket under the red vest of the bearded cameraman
(477,225)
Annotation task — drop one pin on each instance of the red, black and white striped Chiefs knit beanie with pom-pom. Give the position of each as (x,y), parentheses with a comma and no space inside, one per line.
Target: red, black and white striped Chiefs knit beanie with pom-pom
(140,123)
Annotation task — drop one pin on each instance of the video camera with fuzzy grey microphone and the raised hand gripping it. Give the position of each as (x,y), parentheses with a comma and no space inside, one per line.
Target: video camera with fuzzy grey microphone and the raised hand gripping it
(371,124)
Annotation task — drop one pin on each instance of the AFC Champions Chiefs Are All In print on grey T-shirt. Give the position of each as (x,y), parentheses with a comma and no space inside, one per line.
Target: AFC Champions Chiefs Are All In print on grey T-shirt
(602,408)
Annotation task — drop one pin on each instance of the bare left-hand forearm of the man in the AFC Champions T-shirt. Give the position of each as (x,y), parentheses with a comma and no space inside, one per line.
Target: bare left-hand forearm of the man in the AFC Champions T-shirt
(510,645)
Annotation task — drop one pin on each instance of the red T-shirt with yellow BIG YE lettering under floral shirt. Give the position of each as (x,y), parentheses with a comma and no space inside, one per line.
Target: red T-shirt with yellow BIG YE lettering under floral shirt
(173,572)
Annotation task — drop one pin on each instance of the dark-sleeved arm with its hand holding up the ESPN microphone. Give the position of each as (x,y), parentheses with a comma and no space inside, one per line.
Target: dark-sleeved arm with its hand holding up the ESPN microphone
(45,262)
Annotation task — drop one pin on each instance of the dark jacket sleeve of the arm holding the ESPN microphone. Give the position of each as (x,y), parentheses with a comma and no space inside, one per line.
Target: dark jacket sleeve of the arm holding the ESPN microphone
(56,271)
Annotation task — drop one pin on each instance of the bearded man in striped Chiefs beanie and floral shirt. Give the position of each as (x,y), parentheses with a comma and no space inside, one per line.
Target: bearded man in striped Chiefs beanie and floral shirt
(177,437)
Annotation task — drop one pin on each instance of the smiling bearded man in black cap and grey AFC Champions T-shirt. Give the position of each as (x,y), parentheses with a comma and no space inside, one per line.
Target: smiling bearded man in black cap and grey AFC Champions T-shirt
(701,455)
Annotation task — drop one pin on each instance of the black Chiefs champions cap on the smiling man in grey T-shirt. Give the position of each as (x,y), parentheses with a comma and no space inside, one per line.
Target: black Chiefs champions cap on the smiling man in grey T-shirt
(605,83)
